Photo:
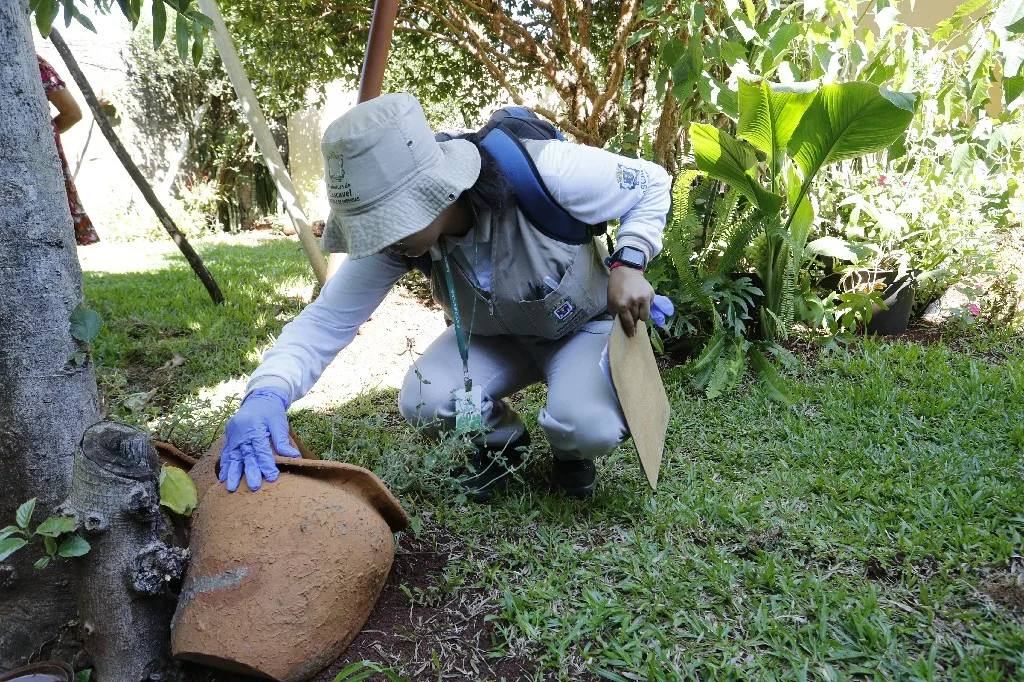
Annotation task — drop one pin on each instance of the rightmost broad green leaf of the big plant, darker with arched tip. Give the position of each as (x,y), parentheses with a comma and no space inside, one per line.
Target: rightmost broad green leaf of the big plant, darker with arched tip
(846,122)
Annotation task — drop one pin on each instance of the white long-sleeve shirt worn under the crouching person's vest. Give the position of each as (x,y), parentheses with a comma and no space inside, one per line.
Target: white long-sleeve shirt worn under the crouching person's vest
(590,184)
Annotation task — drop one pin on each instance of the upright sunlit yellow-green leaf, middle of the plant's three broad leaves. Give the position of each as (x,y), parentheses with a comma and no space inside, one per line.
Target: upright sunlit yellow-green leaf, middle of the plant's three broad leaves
(770,114)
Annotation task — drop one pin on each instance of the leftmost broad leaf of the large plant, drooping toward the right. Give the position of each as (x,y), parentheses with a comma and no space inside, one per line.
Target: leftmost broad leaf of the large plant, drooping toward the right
(724,158)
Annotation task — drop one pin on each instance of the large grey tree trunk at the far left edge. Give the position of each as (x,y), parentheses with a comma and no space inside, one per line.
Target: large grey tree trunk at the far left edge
(47,402)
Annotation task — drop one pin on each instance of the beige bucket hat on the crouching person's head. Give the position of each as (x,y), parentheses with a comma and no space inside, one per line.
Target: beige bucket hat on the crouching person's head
(387,176)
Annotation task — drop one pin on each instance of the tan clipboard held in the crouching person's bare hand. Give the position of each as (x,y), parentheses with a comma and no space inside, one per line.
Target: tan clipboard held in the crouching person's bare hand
(642,395)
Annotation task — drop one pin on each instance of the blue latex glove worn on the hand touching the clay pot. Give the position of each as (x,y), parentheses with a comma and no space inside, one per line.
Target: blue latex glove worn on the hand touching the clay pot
(247,448)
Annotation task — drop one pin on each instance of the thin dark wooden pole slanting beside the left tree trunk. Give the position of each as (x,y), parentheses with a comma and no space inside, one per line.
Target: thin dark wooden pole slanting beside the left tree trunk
(134,172)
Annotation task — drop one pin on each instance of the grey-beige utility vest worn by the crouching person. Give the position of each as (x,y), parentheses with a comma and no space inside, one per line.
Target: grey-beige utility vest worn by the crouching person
(521,260)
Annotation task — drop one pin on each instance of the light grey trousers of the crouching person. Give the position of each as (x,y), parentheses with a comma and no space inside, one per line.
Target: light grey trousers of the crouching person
(582,418)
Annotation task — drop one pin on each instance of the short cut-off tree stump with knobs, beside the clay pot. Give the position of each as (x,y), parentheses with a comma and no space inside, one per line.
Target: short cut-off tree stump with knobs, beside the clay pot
(124,603)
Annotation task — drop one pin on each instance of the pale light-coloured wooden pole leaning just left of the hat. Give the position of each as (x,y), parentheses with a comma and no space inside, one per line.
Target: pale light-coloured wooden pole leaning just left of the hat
(262,132)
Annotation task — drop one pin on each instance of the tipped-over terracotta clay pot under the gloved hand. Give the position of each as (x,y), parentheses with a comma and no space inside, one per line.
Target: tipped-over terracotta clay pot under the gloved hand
(283,579)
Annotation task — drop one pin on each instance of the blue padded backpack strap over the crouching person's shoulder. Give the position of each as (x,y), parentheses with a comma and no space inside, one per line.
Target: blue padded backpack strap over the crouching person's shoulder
(531,193)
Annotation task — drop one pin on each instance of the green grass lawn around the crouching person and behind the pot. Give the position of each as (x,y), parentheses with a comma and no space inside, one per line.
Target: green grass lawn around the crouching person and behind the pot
(872,532)
